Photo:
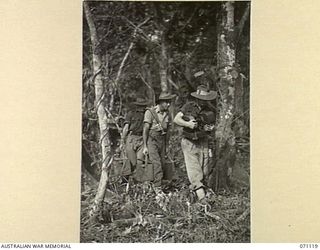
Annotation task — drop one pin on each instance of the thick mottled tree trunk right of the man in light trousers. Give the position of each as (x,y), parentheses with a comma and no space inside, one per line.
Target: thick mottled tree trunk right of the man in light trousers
(226,64)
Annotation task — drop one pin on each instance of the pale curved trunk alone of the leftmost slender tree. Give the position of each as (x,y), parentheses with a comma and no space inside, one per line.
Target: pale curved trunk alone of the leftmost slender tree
(102,116)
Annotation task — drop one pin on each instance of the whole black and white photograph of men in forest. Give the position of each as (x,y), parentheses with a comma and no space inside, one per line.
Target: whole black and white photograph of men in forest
(165,122)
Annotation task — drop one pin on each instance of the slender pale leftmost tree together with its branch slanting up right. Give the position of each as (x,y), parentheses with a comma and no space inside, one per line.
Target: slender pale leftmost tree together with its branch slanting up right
(105,94)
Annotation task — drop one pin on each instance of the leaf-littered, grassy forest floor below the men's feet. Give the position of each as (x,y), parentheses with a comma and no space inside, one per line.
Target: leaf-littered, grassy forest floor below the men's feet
(135,213)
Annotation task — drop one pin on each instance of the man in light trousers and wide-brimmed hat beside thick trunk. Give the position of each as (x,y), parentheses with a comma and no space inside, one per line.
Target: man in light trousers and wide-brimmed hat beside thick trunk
(197,121)
